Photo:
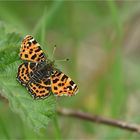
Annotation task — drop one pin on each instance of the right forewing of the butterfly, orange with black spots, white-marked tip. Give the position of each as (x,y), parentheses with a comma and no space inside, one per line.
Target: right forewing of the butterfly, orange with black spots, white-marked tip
(62,84)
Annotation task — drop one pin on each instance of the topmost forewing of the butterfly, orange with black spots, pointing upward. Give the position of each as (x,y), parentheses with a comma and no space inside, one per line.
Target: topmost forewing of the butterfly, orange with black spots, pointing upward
(31,50)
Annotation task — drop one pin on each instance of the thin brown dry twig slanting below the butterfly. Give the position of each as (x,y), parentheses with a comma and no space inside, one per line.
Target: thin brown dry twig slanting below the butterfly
(98,119)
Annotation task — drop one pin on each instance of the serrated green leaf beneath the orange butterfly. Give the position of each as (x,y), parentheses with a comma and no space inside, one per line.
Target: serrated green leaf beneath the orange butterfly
(36,113)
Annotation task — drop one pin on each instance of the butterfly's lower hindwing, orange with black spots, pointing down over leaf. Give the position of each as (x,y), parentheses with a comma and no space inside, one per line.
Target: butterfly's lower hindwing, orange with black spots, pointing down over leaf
(40,89)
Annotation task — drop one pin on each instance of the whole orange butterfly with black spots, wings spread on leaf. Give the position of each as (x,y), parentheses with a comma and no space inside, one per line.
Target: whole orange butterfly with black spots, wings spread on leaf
(38,74)
